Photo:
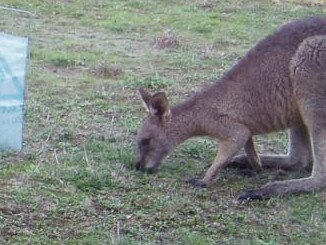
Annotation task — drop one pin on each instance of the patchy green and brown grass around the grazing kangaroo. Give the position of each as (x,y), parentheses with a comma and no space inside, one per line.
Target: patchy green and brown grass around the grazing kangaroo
(75,183)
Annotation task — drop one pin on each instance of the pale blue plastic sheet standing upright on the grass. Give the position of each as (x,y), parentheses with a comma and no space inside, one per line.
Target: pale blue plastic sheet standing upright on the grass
(13,60)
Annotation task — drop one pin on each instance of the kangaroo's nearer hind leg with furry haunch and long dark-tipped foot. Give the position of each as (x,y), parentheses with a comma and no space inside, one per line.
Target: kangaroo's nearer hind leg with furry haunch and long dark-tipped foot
(309,79)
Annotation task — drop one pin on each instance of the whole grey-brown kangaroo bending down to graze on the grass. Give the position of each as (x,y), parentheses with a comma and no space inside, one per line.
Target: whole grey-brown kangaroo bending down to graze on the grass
(279,84)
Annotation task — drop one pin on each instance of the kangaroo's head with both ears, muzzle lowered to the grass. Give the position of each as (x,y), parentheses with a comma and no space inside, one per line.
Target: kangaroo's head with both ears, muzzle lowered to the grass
(153,140)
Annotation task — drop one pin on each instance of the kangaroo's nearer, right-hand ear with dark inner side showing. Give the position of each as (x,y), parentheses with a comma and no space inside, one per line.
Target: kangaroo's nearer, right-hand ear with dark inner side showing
(159,106)
